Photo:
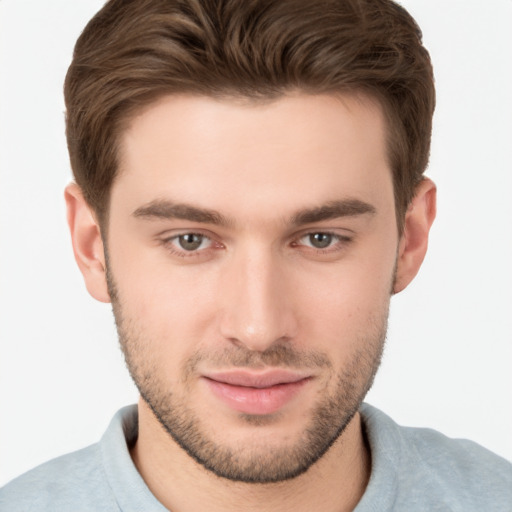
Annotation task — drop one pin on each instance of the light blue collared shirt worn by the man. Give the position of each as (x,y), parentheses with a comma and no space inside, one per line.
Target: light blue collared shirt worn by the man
(412,470)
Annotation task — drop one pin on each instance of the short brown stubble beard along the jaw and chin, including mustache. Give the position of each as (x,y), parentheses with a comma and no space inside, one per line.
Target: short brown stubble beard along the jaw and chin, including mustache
(253,464)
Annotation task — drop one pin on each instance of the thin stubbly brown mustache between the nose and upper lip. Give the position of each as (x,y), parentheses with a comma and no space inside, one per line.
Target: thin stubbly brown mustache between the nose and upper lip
(279,355)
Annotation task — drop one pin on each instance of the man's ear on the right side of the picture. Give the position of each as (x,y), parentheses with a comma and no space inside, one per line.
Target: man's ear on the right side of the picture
(414,241)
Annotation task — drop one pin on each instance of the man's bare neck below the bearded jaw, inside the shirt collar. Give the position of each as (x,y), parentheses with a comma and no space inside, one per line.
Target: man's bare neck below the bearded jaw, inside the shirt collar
(182,485)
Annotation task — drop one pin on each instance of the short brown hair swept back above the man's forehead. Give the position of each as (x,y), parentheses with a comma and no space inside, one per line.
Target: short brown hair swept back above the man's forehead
(134,51)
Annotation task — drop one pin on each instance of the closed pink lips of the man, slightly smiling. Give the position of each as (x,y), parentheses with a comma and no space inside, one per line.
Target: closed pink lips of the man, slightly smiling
(256,393)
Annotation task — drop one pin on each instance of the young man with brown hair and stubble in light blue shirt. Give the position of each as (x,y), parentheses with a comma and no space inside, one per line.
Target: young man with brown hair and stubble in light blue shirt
(249,194)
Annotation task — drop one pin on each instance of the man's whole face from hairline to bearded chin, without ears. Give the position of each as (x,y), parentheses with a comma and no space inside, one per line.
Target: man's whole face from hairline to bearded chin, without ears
(252,249)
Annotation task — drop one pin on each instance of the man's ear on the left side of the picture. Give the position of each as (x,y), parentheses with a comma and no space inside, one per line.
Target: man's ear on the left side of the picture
(87,243)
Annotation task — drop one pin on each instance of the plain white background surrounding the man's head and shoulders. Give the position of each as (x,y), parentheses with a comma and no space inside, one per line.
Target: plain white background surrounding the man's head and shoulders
(448,358)
